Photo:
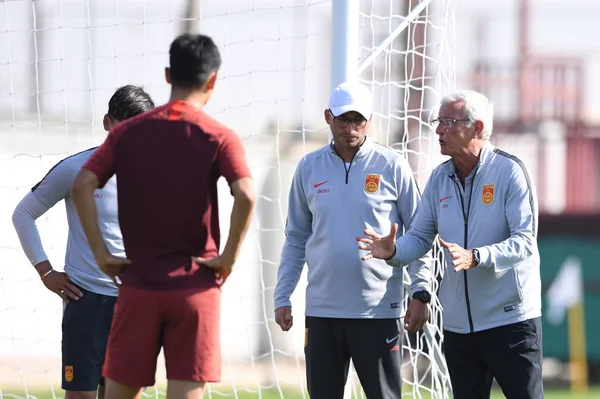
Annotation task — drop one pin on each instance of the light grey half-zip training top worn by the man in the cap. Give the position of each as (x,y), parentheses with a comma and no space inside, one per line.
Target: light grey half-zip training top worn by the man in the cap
(331,204)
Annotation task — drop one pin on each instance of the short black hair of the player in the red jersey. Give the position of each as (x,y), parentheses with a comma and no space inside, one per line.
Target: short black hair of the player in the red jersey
(192,58)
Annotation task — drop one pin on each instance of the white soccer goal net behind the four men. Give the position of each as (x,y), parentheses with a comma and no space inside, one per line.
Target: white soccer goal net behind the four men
(61,60)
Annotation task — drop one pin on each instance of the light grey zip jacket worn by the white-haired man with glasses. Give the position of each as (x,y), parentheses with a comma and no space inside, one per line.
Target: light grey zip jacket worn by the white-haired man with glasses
(497,213)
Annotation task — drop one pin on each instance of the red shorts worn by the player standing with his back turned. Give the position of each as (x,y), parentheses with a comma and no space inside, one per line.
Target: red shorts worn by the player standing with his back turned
(184,322)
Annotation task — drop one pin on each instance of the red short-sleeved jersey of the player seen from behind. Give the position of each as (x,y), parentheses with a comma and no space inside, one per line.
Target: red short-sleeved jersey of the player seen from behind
(167,162)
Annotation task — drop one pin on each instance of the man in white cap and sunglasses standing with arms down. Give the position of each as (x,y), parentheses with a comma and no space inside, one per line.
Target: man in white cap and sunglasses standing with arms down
(353,308)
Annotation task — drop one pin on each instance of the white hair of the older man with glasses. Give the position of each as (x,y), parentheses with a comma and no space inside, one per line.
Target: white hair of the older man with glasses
(476,107)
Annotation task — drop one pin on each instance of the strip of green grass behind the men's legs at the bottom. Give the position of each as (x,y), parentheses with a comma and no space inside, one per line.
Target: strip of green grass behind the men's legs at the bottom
(550,393)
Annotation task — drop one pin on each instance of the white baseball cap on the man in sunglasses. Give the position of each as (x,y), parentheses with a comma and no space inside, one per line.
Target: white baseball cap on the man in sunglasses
(351,96)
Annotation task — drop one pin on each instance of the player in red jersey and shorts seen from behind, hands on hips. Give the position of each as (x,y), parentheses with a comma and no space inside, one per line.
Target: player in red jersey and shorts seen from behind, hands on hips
(167,163)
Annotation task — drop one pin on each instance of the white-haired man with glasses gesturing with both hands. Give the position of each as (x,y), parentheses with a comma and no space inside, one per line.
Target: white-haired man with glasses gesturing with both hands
(483,205)
